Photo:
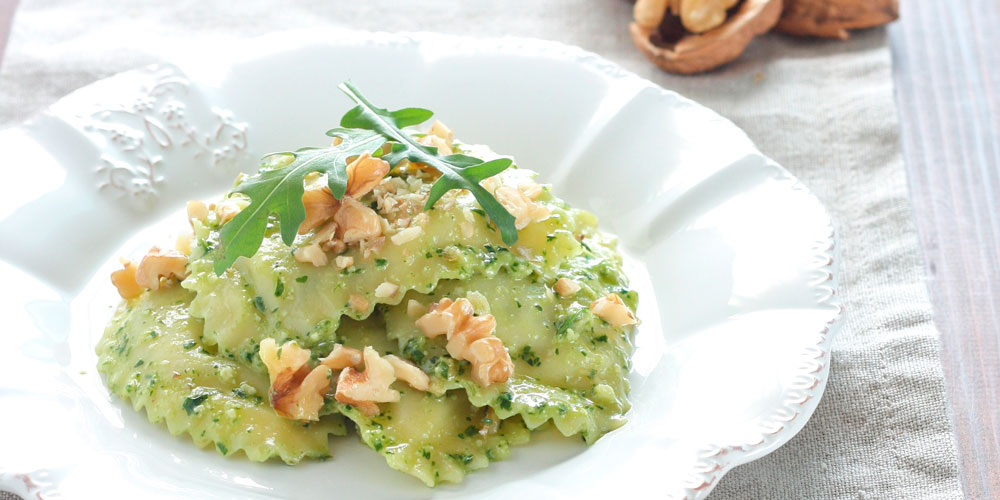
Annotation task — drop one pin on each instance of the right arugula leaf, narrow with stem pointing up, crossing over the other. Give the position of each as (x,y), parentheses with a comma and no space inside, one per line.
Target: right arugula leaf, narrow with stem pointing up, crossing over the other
(457,171)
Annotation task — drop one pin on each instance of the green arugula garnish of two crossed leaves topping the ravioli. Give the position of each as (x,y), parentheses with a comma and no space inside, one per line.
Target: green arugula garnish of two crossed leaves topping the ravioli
(277,189)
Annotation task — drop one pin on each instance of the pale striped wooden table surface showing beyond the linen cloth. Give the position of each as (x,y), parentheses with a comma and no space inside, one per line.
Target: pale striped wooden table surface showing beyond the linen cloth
(946,65)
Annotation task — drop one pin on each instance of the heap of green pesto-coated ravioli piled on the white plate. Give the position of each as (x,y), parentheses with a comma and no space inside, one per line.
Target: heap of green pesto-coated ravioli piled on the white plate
(189,353)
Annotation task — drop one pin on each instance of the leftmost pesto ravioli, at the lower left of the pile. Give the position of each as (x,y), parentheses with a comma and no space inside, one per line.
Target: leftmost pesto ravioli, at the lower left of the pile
(151,355)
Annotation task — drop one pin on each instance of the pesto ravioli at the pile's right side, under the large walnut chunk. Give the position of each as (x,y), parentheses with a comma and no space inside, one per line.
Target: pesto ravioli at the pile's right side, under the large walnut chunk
(571,367)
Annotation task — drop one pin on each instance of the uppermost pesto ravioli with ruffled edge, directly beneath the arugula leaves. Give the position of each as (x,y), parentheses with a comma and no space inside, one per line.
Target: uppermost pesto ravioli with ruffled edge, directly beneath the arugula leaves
(273,295)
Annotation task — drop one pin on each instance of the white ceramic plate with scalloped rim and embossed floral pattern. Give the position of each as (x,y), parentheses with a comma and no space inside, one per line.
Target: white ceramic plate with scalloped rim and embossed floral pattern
(732,257)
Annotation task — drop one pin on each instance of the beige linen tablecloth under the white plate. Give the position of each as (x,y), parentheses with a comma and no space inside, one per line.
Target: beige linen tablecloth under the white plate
(823,109)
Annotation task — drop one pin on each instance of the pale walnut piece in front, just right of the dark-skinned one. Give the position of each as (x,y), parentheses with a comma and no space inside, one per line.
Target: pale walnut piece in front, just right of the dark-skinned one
(364,389)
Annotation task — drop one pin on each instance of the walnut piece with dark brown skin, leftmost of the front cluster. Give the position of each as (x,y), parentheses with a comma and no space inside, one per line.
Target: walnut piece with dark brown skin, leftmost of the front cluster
(296,391)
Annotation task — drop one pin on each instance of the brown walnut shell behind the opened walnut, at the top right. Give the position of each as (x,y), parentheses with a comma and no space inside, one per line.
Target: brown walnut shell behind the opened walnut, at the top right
(832,18)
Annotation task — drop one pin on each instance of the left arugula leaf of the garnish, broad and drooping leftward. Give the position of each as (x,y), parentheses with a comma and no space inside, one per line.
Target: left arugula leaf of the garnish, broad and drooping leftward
(278,190)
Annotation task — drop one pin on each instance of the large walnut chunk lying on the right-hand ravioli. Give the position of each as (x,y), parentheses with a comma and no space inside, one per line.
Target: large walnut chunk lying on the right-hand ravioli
(470,338)
